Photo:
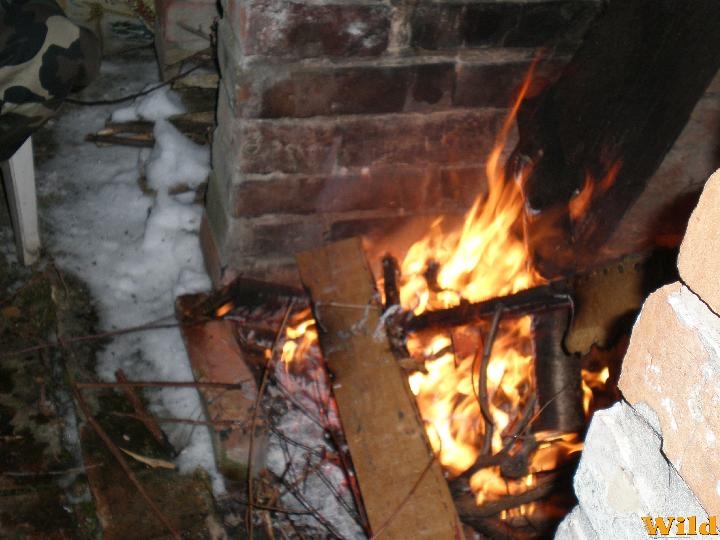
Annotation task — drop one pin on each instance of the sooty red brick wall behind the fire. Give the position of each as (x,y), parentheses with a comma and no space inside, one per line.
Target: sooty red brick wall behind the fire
(360,117)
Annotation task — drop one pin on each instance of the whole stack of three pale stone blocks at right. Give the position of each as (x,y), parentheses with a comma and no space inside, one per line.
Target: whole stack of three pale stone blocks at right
(670,383)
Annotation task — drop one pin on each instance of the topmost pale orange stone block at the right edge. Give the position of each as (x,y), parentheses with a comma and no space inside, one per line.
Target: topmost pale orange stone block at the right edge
(698,261)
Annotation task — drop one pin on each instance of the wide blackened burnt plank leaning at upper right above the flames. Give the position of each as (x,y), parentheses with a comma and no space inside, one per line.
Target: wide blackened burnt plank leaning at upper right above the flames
(624,97)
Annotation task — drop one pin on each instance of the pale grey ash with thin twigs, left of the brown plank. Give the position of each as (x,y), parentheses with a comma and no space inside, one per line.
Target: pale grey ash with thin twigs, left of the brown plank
(306,454)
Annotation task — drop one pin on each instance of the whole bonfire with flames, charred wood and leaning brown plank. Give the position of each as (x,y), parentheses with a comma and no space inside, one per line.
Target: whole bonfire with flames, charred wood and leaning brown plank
(490,407)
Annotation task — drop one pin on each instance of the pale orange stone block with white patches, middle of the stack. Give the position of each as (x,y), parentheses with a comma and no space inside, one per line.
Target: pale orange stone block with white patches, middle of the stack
(673,366)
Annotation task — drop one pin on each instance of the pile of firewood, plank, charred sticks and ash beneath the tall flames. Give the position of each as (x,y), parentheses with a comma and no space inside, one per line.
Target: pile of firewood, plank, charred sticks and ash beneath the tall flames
(338,443)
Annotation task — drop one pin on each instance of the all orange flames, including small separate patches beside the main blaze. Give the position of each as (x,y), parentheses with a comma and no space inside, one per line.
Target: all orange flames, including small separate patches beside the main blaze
(486,258)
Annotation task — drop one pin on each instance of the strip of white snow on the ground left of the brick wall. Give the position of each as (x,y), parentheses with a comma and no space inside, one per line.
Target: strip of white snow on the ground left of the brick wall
(136,250)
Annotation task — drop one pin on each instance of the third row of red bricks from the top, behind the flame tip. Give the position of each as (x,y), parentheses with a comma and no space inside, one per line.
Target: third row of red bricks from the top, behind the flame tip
(330,145)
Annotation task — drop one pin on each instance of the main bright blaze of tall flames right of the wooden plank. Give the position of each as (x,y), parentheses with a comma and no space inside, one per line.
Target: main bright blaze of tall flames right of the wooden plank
(485,259)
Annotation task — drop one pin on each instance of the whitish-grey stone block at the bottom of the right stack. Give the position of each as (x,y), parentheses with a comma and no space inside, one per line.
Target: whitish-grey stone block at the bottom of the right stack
(623,476)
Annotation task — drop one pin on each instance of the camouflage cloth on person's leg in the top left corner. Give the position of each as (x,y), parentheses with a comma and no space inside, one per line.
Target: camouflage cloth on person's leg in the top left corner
(43,57)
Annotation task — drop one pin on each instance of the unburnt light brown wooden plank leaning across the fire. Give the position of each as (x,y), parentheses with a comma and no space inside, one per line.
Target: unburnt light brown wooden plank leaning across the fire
(403,488)
